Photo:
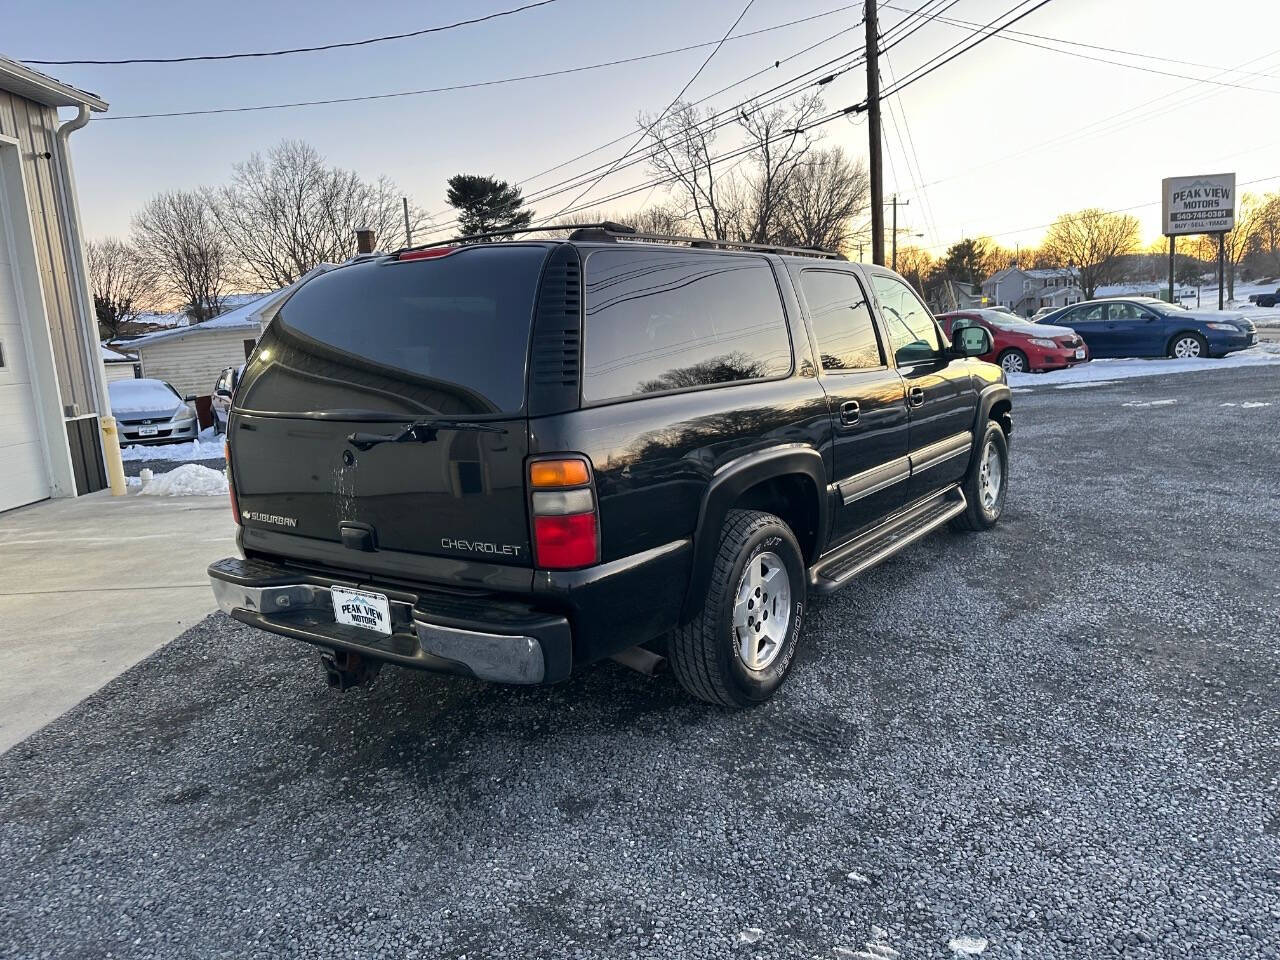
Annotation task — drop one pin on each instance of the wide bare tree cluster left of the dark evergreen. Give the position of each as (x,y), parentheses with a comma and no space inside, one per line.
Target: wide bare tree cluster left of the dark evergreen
(286,213)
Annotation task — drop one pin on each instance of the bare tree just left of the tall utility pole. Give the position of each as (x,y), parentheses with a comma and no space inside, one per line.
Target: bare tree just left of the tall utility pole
(824,196)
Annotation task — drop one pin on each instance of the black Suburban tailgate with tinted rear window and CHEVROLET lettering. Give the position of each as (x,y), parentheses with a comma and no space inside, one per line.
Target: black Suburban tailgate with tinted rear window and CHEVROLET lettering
(323,456)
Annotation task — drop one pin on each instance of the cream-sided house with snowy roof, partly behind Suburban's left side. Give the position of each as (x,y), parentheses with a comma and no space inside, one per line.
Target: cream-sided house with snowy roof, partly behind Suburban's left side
(191,358)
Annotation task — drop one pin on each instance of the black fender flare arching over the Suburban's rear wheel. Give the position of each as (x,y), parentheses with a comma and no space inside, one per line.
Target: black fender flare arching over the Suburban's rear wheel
(728,484)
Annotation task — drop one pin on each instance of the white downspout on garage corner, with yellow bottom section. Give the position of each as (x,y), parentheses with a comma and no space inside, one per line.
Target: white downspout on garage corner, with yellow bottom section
(79,264)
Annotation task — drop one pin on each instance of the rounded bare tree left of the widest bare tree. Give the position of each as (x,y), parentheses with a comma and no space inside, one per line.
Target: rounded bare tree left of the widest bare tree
(179,239)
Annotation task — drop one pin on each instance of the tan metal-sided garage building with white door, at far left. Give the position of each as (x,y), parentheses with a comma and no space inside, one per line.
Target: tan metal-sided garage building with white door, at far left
(52,380)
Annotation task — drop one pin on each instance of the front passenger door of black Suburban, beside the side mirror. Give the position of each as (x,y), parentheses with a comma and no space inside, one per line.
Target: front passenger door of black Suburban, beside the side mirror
(940,396)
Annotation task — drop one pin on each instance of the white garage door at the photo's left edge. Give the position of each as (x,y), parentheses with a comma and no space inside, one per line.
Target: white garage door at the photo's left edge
(24,473)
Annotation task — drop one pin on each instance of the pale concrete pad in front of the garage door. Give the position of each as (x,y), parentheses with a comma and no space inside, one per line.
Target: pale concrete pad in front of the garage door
(89,587)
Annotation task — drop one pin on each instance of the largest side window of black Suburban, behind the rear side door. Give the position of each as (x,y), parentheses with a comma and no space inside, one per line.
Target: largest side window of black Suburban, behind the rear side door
(668,321)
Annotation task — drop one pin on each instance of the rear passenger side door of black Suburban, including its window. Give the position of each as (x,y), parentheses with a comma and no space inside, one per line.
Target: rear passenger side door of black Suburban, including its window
(866,395)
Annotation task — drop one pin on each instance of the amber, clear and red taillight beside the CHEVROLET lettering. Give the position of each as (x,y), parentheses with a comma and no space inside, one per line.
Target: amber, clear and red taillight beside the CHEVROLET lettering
(566,528)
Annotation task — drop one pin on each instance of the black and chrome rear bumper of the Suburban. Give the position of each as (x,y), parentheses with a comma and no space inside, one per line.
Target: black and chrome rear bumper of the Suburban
(444,633)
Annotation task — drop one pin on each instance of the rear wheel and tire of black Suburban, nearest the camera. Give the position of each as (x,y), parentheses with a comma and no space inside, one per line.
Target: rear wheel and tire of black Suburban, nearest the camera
(743,664)
